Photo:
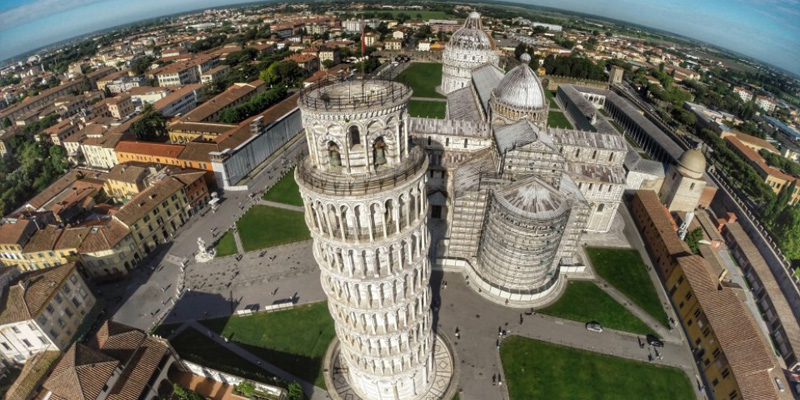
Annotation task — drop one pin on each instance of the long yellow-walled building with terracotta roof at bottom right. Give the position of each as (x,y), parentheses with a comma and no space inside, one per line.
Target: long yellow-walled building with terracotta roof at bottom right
(732,354)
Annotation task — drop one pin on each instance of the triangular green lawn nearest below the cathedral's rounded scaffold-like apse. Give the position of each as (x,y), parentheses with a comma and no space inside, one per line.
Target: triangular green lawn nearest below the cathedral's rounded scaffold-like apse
(584,301)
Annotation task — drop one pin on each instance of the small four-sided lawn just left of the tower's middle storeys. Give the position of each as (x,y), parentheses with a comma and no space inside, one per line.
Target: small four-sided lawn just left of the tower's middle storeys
(264,226)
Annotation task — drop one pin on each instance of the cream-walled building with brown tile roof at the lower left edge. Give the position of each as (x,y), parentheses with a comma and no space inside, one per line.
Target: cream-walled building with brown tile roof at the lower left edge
(43,310)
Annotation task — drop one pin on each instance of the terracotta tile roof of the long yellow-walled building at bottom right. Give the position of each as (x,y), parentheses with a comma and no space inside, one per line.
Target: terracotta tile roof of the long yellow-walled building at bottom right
(735,331)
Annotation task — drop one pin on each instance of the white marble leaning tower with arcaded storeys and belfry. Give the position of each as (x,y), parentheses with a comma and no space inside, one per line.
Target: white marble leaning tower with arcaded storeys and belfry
(364,194)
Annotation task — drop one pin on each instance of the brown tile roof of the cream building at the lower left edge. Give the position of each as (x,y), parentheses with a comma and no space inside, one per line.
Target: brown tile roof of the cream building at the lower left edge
(22,304)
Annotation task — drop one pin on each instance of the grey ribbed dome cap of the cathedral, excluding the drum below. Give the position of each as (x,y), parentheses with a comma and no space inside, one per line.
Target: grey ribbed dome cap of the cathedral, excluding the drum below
(520,88)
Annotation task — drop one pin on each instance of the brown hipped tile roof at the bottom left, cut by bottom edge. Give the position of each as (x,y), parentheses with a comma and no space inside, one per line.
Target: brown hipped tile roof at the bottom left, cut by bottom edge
(81,374)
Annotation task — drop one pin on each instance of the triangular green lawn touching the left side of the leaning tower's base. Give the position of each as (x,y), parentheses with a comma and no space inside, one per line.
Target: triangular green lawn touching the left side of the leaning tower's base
(294,340)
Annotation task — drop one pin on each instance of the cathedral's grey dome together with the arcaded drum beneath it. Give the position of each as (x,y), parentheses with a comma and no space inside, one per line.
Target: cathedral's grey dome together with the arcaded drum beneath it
(520,95)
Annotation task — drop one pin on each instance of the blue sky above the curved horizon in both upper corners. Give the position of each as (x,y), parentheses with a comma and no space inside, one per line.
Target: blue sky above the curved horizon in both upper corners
(768,30)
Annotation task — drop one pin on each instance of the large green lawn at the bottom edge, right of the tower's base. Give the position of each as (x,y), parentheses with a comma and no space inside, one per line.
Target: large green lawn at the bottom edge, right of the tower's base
(539,370)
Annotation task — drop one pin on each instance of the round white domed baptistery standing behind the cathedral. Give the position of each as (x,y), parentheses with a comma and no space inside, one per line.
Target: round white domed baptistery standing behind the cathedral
(469,48)
